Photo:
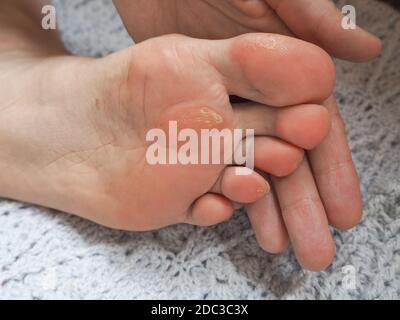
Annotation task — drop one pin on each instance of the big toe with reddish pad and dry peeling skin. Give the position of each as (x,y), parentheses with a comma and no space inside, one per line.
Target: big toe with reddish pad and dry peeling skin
(274,69)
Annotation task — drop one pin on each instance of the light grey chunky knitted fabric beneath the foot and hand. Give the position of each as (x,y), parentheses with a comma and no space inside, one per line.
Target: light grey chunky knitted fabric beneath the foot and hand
(47,254)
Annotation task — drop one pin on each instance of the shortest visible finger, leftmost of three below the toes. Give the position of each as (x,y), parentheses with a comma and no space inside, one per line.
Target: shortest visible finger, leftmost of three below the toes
(269,227)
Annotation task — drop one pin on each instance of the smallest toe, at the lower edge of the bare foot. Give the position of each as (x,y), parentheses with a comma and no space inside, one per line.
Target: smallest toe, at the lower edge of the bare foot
(210,209)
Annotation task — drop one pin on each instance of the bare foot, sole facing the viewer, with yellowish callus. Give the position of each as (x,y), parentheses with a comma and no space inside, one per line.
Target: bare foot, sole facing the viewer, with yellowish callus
(73,129)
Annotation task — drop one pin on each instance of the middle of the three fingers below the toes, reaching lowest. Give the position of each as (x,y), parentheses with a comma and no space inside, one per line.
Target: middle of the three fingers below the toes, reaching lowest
(305,218)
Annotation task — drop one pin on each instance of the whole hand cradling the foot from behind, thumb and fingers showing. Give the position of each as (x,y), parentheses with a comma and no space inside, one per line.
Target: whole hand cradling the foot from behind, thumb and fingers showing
(325,188)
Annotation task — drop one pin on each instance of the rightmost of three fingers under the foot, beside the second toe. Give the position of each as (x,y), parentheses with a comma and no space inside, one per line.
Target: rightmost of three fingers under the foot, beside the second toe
(336,176)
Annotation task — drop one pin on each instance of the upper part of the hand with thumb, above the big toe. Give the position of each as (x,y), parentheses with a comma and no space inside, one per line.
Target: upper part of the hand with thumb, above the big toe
(316,21)
